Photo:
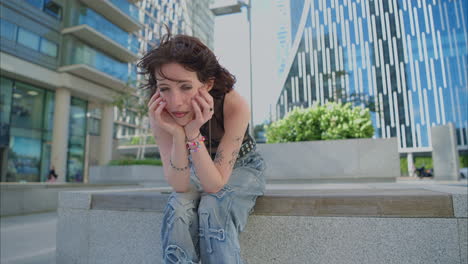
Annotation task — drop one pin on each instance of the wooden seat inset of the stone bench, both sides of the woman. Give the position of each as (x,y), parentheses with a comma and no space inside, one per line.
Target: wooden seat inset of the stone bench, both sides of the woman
(364,202)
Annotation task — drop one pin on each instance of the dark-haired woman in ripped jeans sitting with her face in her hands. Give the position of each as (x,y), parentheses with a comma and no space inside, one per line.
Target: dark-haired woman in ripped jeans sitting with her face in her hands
(201,126)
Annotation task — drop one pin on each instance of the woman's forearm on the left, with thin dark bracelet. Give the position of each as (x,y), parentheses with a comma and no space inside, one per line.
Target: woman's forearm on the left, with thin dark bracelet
(178,171)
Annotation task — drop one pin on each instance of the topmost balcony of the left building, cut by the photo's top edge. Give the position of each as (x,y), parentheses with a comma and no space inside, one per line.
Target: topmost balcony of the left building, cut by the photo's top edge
(121,13)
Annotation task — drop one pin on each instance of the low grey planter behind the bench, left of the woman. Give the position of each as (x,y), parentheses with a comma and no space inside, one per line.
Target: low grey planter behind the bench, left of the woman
(131,174)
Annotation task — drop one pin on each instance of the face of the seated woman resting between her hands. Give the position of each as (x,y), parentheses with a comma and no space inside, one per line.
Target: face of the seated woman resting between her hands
(177,87)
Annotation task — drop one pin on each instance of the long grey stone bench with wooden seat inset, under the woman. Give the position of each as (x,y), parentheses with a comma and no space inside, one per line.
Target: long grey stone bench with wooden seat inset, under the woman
(329,224)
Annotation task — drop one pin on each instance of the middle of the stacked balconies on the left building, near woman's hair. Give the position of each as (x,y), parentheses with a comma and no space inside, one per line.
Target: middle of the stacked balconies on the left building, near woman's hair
(102,42)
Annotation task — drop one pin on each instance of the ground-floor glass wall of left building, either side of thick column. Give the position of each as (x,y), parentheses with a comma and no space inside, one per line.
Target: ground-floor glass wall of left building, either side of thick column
(27,114)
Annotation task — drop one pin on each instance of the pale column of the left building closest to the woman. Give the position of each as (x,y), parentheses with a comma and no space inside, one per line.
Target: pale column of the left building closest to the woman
(107,125)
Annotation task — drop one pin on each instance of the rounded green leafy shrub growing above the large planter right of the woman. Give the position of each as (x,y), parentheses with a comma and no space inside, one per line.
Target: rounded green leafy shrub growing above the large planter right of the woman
(326,122)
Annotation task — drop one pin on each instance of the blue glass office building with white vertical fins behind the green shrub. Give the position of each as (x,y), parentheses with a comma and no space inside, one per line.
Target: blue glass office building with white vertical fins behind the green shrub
(405,60)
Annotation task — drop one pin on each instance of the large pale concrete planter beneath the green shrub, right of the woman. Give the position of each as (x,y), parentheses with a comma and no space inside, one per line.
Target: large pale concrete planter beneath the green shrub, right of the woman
(350,160)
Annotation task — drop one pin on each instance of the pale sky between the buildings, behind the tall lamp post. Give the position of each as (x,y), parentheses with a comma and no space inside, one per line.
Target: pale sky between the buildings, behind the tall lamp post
(232,49)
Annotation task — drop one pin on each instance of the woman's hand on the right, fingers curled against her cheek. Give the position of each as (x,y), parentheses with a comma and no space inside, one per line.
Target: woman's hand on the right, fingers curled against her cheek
(202,104)
